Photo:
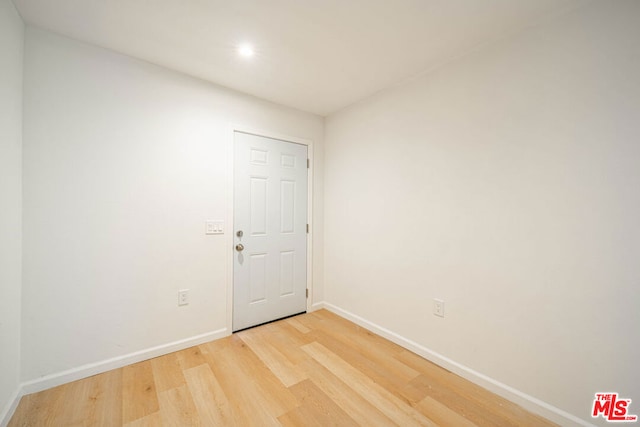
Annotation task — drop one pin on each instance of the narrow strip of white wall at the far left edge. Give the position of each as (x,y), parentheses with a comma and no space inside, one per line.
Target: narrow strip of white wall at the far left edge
(11,51)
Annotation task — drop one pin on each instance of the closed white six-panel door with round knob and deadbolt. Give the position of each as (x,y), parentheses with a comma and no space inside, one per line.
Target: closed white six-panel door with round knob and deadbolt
(270,230)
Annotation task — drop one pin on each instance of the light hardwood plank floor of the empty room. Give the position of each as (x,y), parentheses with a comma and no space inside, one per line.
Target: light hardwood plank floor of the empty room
(316,369)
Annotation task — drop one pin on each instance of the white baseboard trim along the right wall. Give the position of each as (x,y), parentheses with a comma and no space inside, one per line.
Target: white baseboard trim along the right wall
(526,401)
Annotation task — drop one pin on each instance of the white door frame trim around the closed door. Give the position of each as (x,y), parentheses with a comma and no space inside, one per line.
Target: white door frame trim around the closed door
(230,226)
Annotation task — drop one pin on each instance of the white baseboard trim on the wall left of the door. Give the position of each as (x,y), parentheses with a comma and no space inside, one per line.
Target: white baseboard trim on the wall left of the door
(91,369)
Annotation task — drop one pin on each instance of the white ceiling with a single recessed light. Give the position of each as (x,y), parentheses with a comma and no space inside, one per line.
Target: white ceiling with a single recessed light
(314,55)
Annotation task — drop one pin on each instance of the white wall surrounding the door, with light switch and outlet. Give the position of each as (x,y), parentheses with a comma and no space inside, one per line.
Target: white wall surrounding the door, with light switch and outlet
(123,163)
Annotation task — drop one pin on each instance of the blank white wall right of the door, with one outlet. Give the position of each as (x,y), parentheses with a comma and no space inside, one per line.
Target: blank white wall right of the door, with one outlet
(508,184)
